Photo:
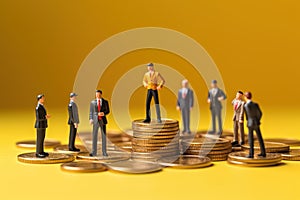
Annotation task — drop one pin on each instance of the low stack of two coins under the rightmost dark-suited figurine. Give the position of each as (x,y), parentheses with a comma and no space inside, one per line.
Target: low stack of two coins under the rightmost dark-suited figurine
(240,158)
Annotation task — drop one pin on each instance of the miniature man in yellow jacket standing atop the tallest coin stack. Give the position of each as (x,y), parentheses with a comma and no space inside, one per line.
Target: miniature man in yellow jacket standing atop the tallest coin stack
(153,81)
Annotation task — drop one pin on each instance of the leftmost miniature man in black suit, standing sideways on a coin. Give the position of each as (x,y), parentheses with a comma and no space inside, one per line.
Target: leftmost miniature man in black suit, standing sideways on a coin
(41,124)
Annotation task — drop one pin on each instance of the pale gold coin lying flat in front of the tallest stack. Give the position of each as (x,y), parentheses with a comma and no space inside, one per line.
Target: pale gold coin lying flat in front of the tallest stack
(134,166)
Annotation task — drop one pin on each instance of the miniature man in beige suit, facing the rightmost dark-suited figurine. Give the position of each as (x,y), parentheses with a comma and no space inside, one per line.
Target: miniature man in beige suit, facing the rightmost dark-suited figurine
(238,119)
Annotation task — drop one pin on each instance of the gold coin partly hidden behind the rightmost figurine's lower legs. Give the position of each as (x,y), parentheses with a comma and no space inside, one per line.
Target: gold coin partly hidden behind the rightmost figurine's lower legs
(271,147)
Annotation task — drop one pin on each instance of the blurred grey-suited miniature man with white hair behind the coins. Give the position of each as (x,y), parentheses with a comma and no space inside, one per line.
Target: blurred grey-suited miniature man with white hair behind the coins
(185,102)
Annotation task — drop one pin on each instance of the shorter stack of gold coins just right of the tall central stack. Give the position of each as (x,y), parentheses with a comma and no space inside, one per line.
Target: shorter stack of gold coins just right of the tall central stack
(217,149)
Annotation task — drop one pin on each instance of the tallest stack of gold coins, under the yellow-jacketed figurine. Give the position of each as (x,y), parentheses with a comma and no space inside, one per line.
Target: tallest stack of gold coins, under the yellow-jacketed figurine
(155,140)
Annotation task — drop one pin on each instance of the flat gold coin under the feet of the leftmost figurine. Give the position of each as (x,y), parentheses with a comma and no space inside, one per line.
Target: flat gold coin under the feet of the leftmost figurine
(53,158)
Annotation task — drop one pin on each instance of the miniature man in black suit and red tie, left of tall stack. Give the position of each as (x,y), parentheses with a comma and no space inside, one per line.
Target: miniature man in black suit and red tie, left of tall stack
(99,108)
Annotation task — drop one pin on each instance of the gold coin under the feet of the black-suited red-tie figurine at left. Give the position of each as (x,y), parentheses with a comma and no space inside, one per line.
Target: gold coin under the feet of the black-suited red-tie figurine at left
(112,157)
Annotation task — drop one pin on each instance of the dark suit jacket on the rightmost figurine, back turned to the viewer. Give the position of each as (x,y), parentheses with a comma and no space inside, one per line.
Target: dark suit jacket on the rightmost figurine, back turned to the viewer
(253,114)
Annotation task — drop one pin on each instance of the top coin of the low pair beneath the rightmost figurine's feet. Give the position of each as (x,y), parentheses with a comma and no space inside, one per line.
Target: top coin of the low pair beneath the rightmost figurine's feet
(242,157)
